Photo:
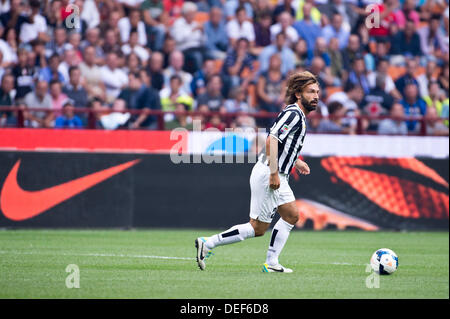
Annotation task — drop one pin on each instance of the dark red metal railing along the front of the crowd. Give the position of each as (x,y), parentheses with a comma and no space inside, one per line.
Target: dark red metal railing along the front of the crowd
(91,117)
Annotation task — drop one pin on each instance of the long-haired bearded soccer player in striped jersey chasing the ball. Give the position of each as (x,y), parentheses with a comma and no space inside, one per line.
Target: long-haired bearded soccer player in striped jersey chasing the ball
(270,191)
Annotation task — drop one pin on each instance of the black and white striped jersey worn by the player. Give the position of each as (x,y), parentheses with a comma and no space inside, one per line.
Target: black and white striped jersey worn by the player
(290,130)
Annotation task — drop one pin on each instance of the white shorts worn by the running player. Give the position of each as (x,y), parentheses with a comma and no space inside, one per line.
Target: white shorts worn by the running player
(264,200)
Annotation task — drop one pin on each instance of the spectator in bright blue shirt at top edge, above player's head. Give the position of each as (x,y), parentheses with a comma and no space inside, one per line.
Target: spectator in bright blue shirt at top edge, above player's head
(307,28)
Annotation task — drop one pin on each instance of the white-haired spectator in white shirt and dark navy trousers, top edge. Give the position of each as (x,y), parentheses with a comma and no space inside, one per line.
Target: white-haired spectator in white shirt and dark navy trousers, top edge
(189,37)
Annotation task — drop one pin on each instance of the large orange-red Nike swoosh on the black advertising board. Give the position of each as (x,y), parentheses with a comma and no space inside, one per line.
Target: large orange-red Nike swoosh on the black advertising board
(18,204)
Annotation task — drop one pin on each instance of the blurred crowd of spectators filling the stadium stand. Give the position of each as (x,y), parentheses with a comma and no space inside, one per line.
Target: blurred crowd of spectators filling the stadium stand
(372,58)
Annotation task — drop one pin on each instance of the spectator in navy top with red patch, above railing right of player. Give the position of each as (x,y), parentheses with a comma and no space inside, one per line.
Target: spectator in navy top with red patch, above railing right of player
(376,103)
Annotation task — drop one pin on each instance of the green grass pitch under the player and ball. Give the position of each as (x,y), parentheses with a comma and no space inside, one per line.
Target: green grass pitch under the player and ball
(161,264)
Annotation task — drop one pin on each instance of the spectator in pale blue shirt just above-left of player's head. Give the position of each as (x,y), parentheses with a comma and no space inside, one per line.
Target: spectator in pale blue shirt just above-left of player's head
(279,46)
